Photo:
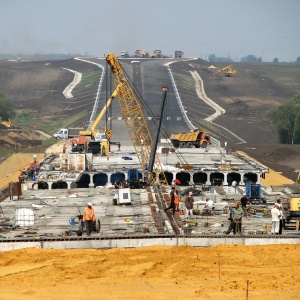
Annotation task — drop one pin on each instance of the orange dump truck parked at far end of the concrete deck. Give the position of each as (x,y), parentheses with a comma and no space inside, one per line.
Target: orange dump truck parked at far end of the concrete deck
(196,138)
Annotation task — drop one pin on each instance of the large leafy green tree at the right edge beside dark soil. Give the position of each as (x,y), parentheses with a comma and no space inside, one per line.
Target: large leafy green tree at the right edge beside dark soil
(286,120)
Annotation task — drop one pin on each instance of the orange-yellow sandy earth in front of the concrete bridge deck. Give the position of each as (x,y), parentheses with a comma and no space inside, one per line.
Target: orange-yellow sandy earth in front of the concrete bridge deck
(158,273)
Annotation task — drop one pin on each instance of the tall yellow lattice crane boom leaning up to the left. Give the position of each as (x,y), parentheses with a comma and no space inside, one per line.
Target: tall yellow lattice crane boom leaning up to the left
(135,121)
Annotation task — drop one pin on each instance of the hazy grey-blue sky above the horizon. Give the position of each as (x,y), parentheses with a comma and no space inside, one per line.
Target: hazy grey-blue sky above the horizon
(235,28)
